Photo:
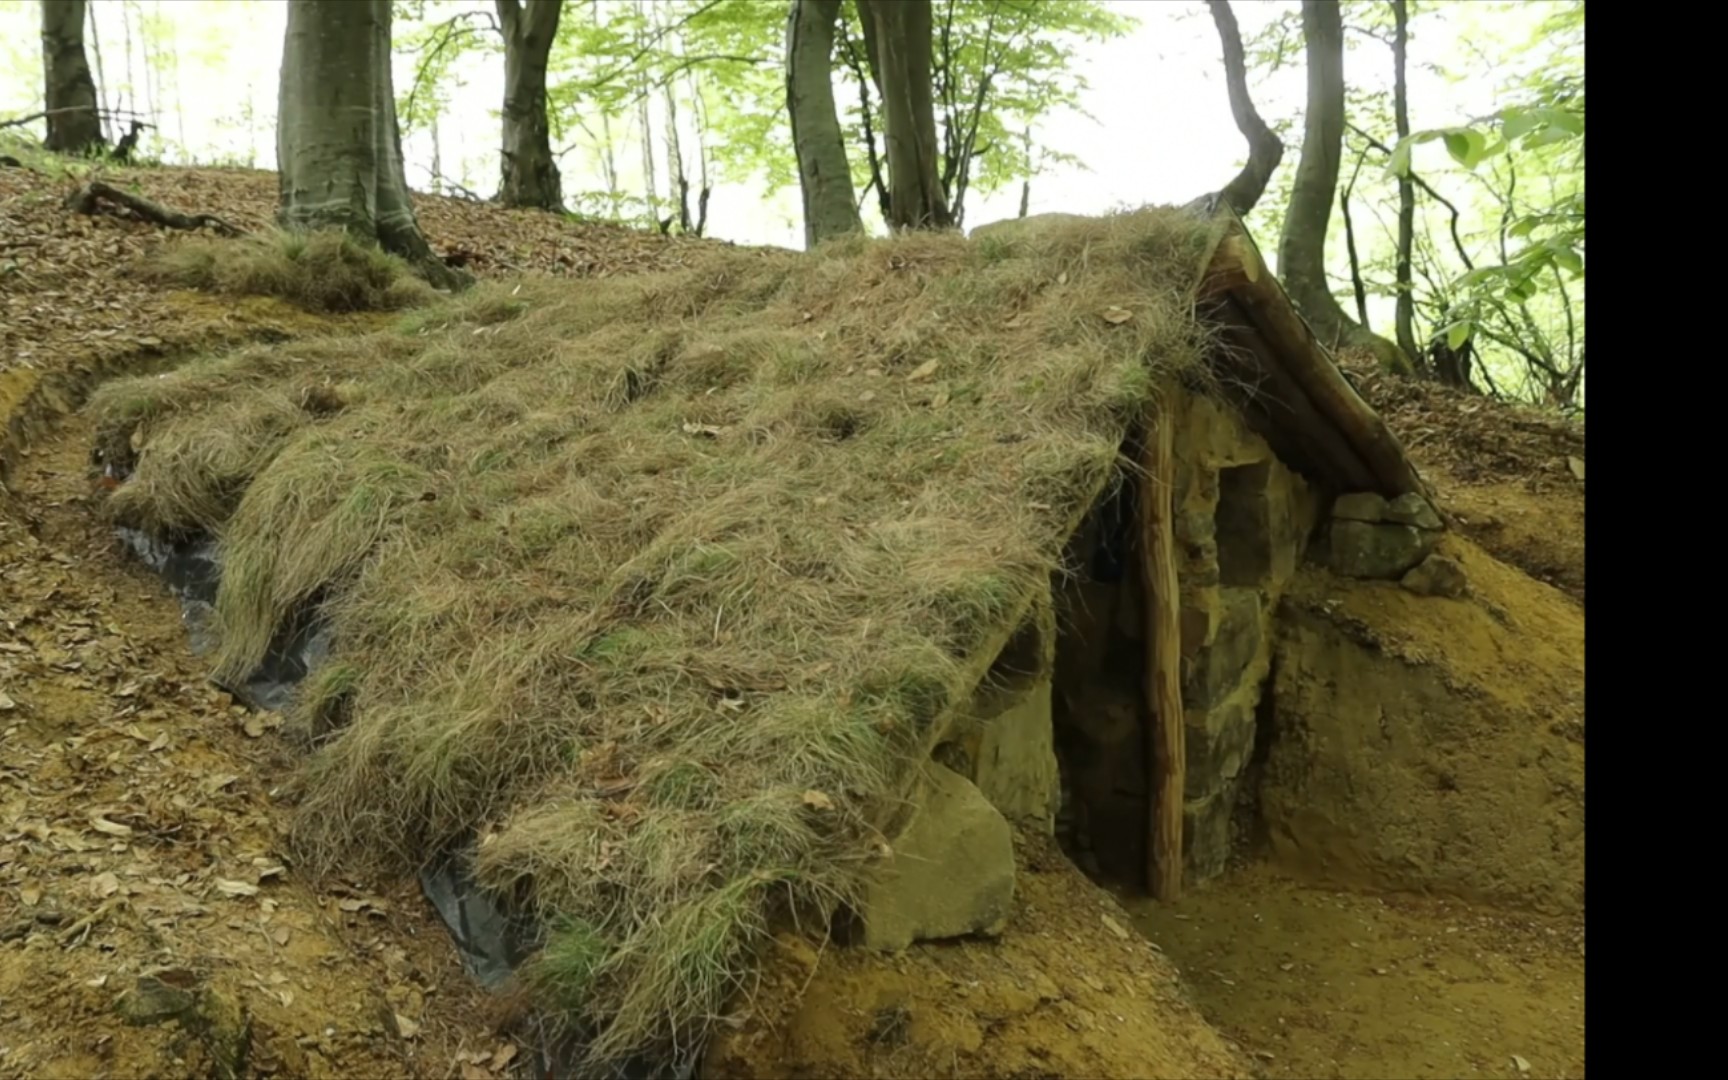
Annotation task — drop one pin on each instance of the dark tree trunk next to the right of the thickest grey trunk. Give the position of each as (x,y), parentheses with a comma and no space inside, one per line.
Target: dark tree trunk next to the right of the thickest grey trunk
(530,172)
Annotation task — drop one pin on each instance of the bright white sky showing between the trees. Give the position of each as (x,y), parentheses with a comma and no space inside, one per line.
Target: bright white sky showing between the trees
(1162,134)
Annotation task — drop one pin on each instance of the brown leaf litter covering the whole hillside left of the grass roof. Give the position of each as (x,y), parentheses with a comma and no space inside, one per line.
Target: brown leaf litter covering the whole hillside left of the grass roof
(130,834)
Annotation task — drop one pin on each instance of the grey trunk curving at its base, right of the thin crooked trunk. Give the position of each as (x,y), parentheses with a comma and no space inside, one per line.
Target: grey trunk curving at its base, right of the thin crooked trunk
(1302,248)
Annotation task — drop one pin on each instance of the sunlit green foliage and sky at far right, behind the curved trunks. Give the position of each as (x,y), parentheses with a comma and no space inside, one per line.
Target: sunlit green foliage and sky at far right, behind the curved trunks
(1501,208)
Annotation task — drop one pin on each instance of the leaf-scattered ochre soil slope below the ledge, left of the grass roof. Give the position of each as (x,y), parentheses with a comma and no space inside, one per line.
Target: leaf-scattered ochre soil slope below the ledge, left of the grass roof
(139,834)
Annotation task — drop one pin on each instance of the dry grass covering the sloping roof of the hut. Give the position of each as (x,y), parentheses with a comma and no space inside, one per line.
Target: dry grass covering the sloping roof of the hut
(664,585)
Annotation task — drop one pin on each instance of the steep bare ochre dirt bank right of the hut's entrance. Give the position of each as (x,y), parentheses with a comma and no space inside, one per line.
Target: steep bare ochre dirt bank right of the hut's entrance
(1432,744)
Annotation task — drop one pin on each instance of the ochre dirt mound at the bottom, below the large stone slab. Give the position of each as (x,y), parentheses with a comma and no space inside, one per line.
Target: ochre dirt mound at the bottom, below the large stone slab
(1069,991)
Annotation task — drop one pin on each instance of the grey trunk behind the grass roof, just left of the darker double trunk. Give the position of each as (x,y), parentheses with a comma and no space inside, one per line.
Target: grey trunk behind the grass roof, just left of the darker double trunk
(825,177)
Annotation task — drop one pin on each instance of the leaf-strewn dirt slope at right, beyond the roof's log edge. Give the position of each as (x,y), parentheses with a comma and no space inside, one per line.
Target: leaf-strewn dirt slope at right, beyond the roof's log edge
(1513,478)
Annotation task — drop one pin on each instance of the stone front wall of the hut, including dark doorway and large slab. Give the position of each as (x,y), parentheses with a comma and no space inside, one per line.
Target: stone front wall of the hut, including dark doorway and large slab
(1069,687)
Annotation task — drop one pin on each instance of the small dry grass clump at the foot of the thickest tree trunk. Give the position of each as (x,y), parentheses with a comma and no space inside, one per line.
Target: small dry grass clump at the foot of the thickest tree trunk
(326,272)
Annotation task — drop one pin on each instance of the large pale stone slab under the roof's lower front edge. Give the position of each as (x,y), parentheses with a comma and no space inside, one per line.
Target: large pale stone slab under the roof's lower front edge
(951,872)
